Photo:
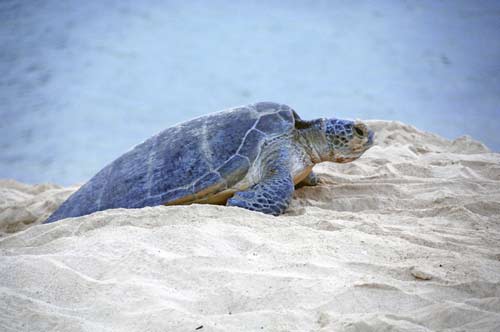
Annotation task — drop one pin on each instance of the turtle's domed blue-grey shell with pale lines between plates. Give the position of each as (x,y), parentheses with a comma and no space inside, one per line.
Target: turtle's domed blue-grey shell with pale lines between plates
(189,162)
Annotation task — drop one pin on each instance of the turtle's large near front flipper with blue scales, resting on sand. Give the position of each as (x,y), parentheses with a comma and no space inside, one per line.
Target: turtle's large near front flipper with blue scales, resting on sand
(273,194)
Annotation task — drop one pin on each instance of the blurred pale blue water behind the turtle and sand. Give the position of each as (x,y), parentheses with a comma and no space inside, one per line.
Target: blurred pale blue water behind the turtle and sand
(83,81)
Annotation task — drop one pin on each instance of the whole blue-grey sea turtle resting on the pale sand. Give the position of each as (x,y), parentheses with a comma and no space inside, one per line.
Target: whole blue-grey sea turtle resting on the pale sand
(249,156)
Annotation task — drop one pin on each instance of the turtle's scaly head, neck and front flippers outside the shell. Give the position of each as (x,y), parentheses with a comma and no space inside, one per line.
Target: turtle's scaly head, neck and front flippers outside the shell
(289,160)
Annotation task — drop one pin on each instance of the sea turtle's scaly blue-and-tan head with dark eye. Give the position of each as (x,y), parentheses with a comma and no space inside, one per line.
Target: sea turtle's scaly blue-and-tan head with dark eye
(347,140)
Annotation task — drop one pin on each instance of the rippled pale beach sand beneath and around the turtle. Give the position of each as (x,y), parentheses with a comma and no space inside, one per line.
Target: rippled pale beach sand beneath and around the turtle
(407,238)
